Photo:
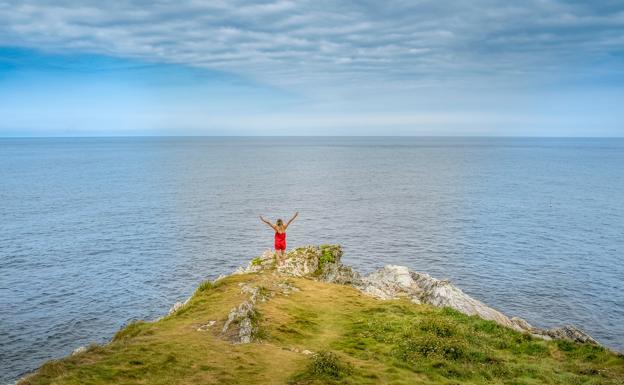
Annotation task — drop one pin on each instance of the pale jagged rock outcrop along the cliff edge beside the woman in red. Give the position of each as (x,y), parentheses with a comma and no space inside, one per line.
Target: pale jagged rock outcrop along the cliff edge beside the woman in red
(323,263)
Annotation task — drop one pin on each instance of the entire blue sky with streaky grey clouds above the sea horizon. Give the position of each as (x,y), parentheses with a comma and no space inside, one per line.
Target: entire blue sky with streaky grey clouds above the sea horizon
(191,67)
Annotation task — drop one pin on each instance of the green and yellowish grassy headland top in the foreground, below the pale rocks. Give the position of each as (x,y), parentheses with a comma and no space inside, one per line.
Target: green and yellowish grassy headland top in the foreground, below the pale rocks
(310,332)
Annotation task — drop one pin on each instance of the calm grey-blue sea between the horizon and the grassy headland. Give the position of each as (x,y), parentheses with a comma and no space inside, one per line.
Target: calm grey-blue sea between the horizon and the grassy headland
(97,232)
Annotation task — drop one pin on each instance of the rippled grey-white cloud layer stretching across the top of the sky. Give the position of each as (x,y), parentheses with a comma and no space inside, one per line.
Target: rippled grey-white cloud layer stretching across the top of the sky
(325,43)
